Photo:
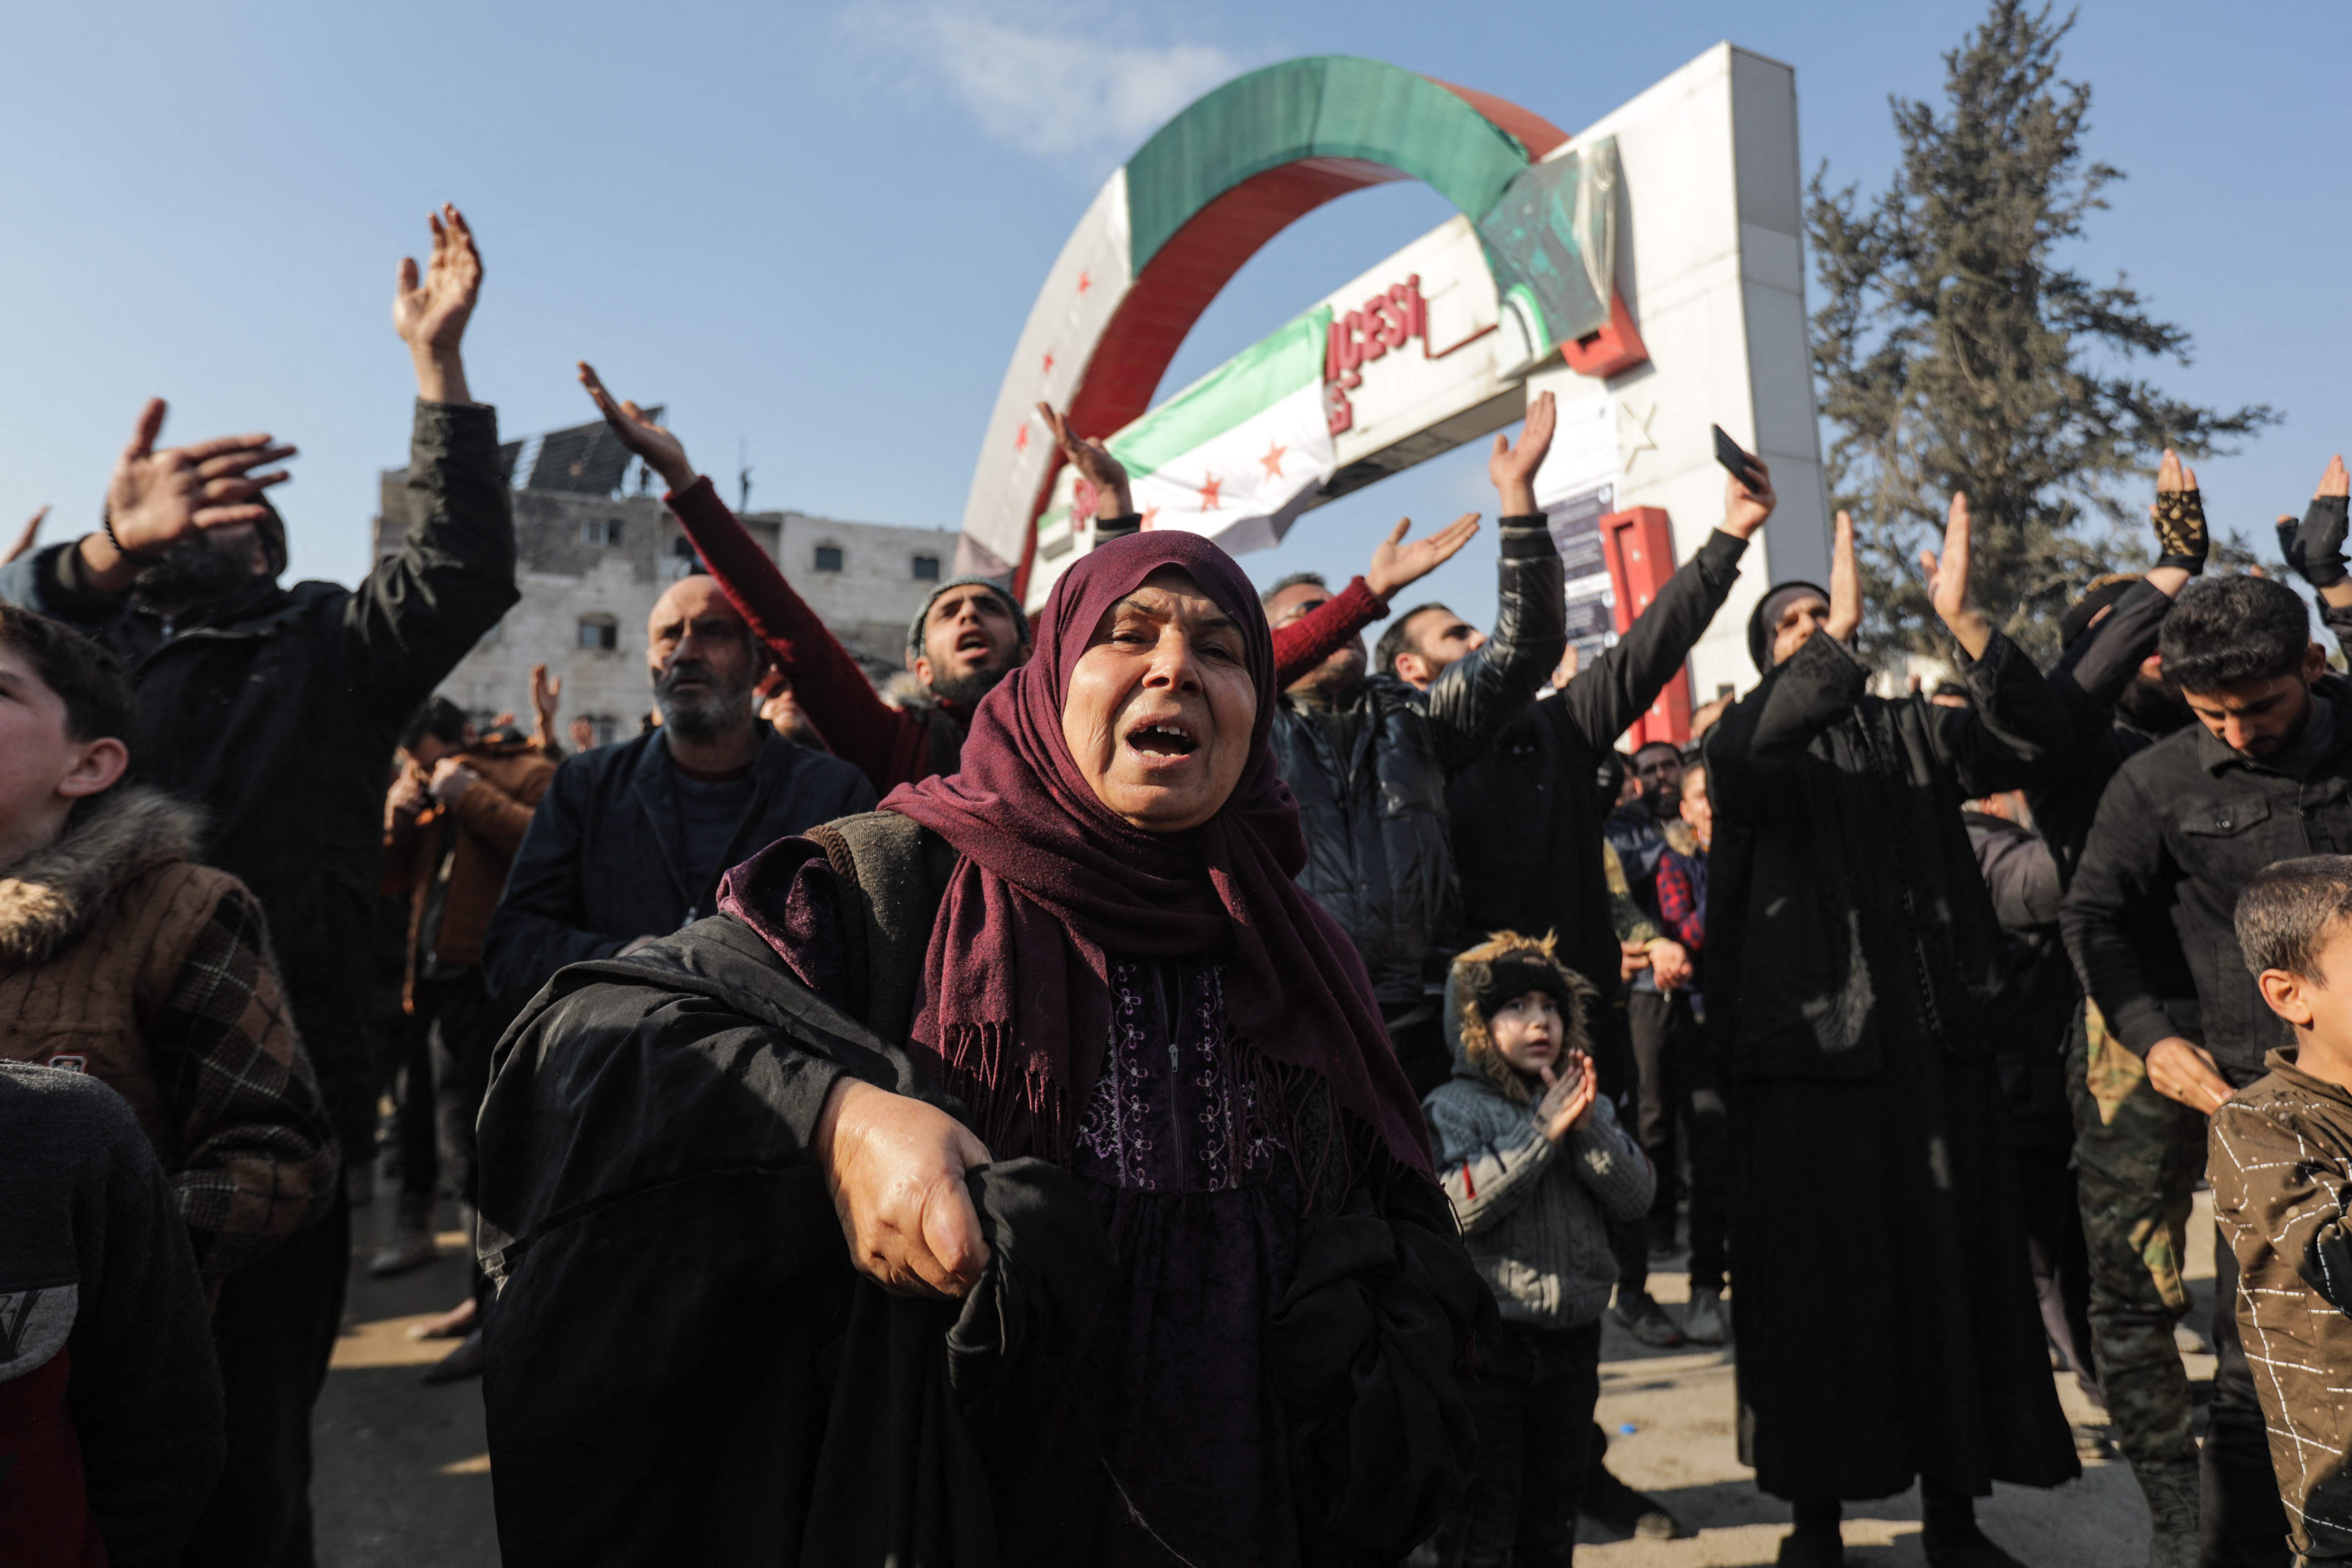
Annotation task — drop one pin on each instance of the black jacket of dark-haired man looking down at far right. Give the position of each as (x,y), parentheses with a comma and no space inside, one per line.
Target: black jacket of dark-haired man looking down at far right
(2181,831)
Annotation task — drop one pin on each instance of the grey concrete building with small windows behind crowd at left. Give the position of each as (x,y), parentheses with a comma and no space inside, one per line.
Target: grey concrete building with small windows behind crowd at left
(594,554)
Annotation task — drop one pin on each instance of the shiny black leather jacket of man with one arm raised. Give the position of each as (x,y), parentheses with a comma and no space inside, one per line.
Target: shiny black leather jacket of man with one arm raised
(1379,855)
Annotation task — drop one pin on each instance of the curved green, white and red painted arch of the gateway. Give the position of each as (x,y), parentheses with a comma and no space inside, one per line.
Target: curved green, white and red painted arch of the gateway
(1182,217)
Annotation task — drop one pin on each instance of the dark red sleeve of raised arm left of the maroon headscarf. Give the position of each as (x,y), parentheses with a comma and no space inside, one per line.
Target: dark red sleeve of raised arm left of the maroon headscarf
(886,744)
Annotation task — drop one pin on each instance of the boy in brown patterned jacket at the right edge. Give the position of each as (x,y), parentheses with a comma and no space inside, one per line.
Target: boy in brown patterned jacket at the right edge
(2283,1174)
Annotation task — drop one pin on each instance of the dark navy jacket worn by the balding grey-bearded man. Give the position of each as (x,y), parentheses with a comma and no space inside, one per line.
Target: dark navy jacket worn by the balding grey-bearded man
(603,859)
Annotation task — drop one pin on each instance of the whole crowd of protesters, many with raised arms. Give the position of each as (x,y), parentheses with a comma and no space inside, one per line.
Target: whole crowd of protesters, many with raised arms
(1165,1083)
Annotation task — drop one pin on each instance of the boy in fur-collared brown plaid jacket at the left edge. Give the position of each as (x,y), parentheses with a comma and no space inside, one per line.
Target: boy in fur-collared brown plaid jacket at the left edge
(126,960)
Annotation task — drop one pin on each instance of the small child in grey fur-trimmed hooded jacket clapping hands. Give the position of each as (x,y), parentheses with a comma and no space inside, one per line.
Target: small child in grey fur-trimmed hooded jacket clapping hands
(1537,1167)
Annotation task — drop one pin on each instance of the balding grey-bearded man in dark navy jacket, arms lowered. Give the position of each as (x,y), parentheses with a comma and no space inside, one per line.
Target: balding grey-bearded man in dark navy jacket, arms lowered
(632,840)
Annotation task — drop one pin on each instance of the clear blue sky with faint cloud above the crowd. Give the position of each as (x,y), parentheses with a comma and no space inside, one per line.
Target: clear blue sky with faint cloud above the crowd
(817,229)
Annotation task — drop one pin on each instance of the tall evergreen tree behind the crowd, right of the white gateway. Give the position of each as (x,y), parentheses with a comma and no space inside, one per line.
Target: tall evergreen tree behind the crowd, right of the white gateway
(1953,349)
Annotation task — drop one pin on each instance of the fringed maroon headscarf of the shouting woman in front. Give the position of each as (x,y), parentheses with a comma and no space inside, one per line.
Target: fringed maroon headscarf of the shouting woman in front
(1017,1003)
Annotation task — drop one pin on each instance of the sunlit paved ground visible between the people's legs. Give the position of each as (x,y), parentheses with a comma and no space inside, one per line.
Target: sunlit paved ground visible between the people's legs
(403,1470)
